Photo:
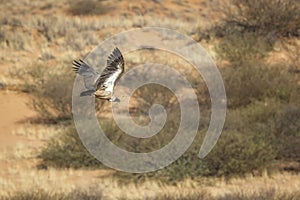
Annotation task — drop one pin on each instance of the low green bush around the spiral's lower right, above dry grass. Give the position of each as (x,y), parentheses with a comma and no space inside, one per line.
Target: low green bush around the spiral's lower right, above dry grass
(235,154)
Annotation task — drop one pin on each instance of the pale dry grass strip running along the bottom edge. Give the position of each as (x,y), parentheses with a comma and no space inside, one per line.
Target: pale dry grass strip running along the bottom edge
(51,180)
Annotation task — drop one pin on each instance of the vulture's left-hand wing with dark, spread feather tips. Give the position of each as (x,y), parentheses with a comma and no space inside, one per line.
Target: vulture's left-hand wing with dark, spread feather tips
(90,76)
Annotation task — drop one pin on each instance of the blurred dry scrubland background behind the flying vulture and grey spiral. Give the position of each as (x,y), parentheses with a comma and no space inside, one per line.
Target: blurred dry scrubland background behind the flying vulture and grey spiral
(256,46)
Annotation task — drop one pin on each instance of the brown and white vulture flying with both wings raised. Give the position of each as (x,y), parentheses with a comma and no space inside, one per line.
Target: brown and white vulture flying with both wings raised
(101,85)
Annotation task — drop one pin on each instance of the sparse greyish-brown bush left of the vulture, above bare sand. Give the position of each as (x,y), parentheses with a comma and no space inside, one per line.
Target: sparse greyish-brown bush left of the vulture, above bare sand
(50,89)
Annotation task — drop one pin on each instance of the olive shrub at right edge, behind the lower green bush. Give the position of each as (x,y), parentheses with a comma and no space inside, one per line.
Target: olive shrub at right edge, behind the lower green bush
(278,121)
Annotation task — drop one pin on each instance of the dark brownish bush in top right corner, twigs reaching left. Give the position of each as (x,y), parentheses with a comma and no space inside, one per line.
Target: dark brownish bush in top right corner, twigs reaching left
(268,18)
